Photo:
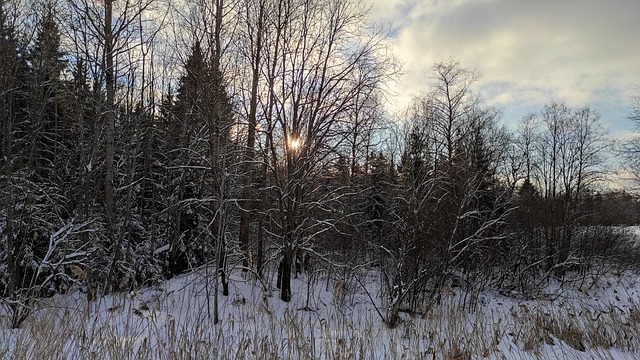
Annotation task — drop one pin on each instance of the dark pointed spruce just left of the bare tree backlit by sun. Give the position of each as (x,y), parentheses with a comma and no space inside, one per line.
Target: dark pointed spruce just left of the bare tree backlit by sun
(199,122)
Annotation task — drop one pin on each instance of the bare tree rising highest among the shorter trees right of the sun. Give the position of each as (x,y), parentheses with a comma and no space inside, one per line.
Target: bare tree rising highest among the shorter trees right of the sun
(453,209)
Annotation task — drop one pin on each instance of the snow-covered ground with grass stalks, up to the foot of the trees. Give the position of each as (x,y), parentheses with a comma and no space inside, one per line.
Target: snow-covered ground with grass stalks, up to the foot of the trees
(328,319)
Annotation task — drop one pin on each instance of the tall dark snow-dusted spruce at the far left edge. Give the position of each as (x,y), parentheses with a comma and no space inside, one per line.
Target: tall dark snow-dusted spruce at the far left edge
(35,206)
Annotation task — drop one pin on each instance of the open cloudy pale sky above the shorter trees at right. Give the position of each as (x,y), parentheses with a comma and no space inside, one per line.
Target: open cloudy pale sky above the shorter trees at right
(530,52)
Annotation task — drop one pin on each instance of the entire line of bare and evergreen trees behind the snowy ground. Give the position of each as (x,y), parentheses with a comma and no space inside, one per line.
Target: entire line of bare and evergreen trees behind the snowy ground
(145,138)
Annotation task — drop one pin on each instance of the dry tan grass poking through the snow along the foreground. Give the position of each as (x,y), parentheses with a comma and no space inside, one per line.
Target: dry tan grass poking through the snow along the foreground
(253,329)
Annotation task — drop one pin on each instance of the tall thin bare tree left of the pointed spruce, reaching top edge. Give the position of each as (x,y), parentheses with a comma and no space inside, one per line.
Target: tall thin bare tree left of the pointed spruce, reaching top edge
(104,36)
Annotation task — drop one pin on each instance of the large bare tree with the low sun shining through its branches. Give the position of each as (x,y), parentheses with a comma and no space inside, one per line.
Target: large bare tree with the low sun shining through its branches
(311,55)
